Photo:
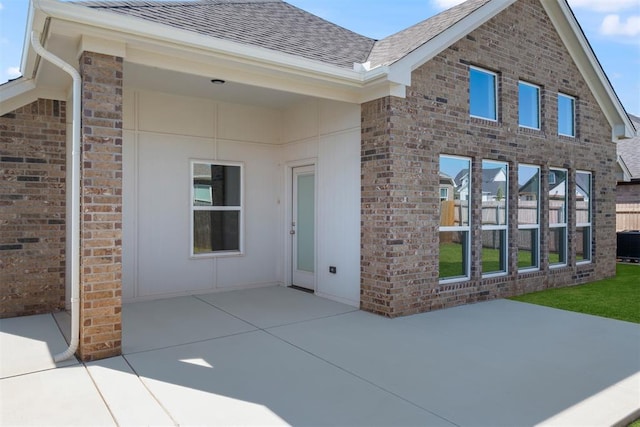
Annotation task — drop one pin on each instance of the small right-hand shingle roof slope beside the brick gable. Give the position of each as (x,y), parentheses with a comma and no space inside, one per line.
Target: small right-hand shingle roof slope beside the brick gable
(395,47)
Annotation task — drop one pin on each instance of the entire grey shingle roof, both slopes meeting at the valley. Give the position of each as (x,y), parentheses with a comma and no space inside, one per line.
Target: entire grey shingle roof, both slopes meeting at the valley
(277,25)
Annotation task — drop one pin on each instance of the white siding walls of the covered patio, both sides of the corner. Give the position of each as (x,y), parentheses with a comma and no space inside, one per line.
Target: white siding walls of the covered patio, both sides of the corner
(163,132)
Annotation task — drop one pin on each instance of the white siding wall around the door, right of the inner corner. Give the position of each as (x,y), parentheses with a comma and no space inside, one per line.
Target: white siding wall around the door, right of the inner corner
(329,133)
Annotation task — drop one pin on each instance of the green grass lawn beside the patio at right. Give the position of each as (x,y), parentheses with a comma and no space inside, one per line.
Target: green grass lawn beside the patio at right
(616,298)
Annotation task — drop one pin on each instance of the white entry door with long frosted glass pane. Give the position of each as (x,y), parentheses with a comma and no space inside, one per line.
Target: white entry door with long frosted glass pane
(303,227)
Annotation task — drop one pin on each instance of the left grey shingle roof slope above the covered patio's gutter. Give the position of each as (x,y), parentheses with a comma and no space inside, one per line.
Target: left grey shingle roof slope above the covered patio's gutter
(271,24)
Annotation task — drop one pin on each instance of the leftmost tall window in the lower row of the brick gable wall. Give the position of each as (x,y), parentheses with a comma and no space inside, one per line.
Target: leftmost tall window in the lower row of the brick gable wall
(455,216)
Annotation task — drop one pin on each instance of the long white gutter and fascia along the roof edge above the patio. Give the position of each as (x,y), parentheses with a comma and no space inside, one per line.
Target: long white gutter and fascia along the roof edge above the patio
(250,55)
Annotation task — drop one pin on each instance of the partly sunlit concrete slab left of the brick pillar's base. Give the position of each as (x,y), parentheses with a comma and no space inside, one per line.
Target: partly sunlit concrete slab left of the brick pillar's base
(28,344)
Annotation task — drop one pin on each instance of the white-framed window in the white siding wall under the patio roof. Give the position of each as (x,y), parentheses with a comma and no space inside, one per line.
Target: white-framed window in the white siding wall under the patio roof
(216,208)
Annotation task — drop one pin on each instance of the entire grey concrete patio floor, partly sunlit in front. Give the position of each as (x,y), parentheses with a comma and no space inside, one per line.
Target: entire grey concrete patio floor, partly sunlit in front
(277,356)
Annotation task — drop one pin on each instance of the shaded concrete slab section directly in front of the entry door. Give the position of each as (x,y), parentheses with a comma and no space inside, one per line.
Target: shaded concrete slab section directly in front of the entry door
(274,306)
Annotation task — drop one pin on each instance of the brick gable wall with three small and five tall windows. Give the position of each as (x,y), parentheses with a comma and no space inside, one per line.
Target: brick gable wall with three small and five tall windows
(402,140)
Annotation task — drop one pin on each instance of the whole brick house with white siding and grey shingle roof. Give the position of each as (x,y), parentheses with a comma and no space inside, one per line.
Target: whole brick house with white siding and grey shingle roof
(221,144)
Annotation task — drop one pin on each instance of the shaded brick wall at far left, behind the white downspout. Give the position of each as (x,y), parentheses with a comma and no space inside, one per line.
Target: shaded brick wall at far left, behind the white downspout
(32,209)
